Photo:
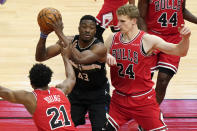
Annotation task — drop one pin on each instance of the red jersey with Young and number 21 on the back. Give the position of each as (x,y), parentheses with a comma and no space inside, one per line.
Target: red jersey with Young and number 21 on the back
(52,111)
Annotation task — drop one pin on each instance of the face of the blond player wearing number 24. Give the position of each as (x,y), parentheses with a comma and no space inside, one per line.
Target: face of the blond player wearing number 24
(125,23)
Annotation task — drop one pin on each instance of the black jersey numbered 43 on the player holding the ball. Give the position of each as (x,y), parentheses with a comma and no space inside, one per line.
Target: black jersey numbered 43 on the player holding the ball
(89,76)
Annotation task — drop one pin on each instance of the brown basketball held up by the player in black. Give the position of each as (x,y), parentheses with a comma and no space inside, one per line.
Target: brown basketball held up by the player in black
(48,15)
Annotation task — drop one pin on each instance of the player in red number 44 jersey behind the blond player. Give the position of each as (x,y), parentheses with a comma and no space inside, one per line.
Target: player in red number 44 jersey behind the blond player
(163,18)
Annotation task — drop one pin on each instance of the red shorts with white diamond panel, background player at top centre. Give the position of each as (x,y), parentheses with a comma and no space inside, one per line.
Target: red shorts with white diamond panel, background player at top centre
(107,15)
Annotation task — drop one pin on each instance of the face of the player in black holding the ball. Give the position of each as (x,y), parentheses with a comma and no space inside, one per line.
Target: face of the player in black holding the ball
(87,30)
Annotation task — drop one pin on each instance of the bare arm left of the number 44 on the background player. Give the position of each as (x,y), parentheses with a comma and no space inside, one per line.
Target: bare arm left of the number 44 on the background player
(143,9)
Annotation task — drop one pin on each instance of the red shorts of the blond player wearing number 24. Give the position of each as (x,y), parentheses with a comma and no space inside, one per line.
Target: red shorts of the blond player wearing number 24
(143,109)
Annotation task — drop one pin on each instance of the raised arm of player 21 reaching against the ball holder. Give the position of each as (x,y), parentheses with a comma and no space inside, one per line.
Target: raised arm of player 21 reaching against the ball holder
(67,85)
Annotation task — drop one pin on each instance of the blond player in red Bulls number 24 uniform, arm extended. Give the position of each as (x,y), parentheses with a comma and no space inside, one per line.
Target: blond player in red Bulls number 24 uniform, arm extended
(130,60)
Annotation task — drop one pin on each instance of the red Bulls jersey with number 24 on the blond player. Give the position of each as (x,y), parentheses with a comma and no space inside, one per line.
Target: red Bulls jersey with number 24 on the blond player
(132,73)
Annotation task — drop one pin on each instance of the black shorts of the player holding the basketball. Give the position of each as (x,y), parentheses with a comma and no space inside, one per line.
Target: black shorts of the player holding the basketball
(92,102)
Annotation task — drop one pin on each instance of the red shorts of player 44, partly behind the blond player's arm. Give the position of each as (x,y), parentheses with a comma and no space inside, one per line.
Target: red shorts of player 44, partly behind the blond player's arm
(163,60)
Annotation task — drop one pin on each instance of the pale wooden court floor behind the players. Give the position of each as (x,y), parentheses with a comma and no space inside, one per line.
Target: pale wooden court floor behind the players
(19,33)
